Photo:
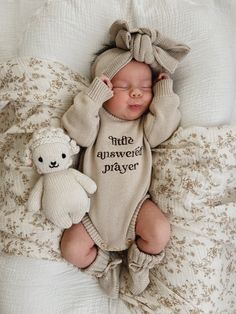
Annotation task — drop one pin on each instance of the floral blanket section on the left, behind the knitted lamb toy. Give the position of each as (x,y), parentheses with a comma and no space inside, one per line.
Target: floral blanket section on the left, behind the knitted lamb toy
(35,93)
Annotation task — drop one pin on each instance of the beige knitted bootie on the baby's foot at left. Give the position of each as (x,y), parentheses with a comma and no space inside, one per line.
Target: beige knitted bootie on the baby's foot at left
(106,268)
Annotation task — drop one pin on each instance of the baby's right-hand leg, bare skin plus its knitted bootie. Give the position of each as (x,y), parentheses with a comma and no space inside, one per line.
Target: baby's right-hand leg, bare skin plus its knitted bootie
(153,231)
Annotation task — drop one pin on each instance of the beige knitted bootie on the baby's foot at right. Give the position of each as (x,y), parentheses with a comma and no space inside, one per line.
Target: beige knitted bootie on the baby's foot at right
(139,264)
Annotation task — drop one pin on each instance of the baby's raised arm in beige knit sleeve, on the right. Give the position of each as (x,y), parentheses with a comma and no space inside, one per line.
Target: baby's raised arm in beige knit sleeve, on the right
(164,115)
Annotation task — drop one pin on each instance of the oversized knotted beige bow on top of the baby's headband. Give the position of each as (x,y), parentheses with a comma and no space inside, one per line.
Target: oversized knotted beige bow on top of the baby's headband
(148,46)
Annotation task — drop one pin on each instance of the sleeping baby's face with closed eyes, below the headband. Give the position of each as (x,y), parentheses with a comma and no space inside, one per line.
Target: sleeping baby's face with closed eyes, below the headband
(132,87)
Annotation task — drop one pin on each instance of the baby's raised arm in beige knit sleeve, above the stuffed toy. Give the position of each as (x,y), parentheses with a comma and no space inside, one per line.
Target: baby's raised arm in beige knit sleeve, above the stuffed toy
(81,120)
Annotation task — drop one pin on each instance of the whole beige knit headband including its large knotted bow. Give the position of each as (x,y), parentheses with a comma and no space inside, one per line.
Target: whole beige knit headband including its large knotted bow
(141,44)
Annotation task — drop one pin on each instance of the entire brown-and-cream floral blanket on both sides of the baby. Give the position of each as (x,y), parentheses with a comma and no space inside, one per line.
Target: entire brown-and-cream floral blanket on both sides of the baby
(194,183)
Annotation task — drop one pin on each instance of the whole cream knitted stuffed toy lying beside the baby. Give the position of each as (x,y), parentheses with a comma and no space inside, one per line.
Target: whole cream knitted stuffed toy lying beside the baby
(60,191)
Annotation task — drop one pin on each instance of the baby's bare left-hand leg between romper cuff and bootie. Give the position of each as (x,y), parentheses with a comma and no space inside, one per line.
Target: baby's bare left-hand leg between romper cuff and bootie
(77,247)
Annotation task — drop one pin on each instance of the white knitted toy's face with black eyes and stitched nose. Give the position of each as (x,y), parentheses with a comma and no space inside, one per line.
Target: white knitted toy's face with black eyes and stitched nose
(52,157)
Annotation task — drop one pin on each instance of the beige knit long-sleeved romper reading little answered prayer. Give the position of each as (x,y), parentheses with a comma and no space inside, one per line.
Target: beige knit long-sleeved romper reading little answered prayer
(118,157)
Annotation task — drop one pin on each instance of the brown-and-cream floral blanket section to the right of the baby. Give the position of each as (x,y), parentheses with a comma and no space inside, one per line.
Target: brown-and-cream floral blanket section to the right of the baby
(194,182)
